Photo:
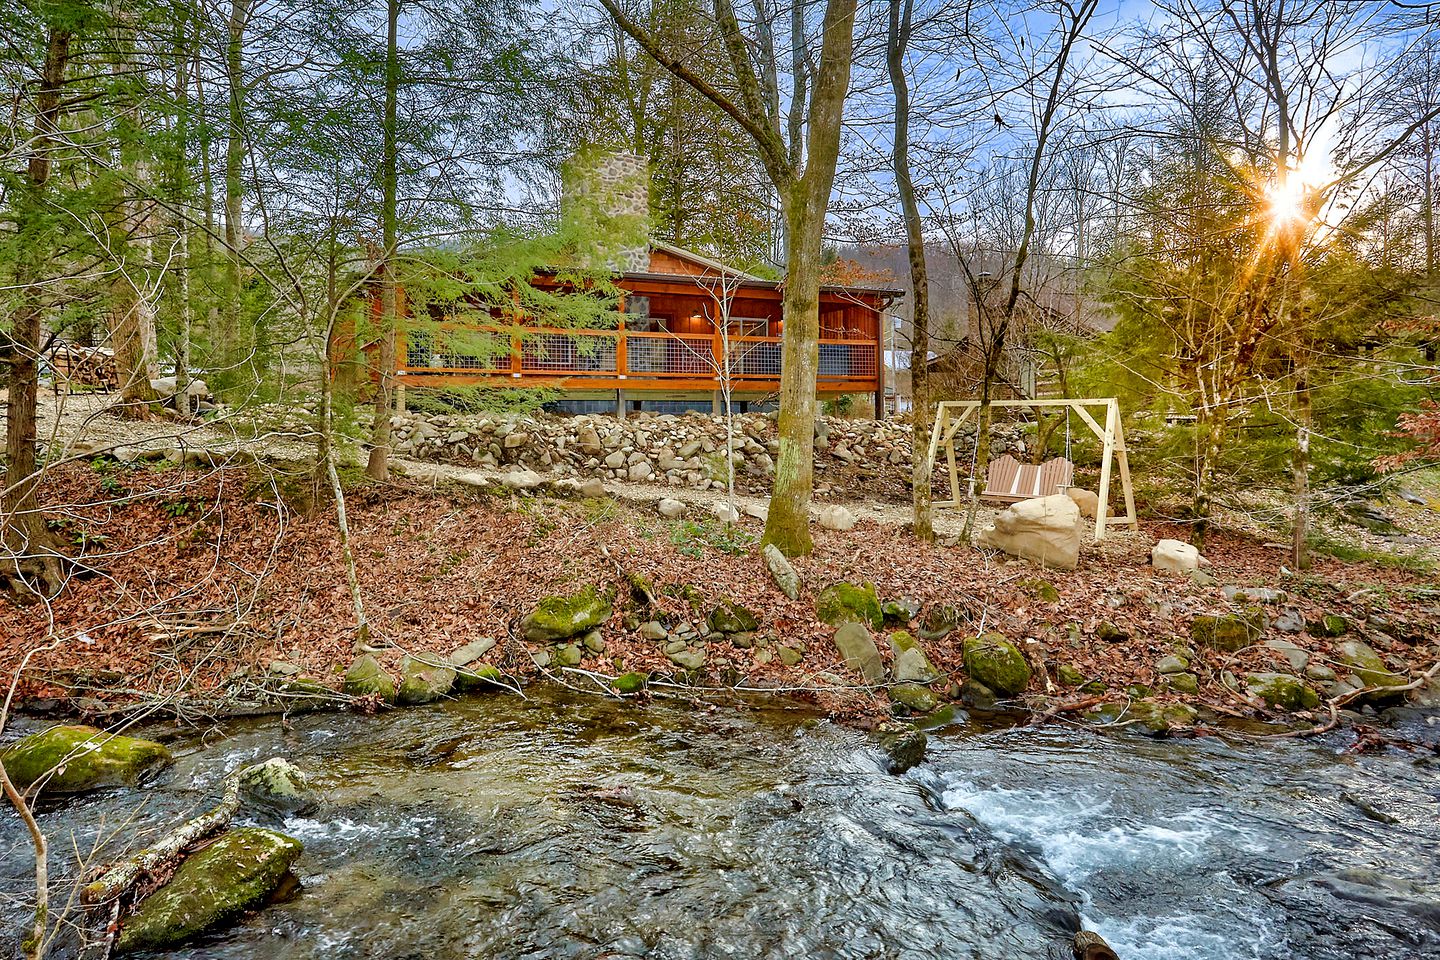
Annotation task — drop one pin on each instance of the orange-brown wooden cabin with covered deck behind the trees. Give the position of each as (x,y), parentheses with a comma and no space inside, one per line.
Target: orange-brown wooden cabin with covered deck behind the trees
(670,348)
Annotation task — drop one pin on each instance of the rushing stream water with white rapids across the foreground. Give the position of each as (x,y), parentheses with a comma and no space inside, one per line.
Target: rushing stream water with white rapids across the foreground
(571,827)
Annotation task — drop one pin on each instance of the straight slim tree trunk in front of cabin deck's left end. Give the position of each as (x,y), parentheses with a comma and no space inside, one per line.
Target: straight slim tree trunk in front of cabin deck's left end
(379,464)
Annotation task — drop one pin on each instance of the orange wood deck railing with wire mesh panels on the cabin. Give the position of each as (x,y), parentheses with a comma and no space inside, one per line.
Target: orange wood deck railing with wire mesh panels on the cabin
(620,355)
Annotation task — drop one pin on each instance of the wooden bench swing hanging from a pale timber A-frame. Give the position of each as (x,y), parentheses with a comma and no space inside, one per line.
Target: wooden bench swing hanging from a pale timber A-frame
(1048,479)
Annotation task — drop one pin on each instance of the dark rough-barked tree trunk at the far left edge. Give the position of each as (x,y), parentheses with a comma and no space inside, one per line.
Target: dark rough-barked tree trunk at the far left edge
(31,568)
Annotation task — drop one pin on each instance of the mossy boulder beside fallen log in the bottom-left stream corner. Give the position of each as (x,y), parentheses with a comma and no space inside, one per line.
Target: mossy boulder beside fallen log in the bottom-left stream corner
(234,874)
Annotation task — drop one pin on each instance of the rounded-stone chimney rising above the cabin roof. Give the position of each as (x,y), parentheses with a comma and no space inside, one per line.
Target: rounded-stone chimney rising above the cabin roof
(610,194)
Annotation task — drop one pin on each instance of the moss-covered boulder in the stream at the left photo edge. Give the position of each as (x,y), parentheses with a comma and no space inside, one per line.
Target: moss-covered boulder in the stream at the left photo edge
(83,759)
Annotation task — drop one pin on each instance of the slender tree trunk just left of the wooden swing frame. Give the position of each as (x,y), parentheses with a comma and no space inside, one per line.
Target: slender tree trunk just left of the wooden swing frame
(899,38)
